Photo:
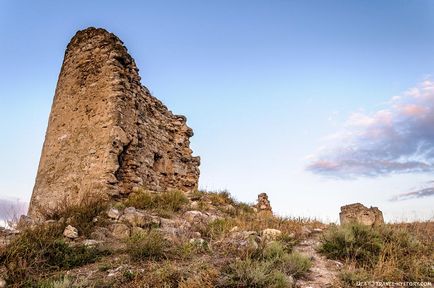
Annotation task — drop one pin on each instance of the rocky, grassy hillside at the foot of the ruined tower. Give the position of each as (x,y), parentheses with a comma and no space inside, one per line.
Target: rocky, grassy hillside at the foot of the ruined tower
(203,239)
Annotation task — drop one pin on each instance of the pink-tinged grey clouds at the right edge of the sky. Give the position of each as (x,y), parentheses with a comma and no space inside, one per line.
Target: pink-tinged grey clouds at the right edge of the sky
(397,139)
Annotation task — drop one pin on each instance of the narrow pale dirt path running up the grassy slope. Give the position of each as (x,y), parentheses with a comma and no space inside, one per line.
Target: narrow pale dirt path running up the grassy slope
(323,273)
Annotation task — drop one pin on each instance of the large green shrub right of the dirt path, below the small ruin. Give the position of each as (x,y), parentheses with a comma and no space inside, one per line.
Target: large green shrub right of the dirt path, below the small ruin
(354,242)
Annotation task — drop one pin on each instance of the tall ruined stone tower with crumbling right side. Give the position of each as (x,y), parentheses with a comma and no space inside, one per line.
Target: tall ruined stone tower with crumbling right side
(106,133)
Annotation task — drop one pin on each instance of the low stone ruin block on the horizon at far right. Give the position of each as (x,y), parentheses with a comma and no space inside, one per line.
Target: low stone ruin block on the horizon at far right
(360,214)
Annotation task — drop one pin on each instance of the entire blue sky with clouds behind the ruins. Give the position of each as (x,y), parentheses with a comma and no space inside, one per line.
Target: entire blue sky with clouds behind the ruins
(274,90)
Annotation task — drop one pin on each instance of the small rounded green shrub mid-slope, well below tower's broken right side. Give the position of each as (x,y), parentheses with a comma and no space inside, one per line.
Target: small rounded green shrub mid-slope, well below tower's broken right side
(147,245)
